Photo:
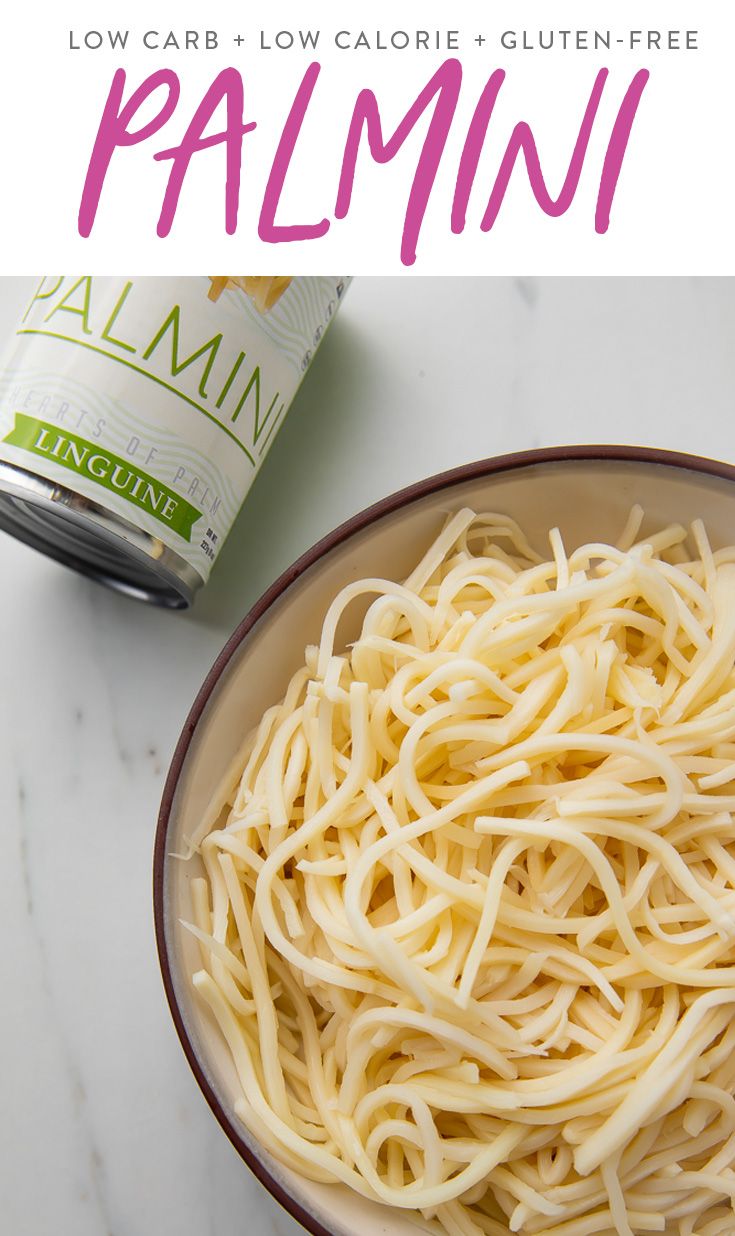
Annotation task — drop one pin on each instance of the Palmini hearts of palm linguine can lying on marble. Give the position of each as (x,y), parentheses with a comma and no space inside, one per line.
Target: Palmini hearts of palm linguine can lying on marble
(135,415)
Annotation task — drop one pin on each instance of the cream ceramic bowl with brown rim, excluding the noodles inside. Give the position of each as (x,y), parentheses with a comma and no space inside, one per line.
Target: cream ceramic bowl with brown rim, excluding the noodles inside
(587,491)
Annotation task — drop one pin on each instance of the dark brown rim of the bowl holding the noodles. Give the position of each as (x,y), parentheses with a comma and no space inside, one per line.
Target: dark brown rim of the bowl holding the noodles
(356,525)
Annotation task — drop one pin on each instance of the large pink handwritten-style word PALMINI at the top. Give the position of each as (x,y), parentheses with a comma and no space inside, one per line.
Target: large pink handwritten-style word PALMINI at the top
(438,101)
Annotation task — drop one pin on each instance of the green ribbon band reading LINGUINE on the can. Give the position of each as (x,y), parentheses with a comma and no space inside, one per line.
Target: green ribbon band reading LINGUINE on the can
(104,469)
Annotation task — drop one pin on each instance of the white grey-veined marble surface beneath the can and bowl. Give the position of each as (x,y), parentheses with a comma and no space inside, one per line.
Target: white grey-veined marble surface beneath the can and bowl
(104,1132)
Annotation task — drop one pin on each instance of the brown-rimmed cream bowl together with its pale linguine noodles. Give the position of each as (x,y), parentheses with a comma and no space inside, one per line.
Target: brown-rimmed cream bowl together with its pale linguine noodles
(445,867)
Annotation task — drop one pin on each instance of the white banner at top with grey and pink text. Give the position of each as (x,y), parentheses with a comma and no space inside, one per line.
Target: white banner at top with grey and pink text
(591,137)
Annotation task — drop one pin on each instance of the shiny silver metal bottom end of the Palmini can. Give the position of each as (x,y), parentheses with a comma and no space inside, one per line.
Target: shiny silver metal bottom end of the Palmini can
(82,535)
